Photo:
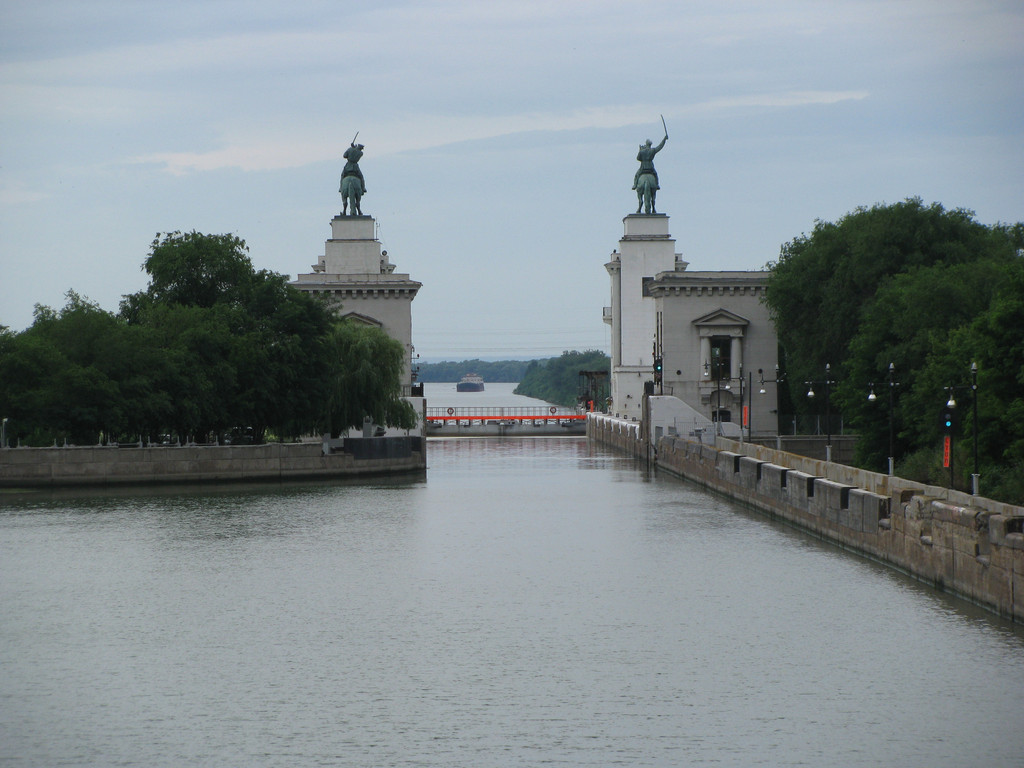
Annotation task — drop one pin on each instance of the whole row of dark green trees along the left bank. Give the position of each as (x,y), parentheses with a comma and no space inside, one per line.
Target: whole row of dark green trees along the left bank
(212,347)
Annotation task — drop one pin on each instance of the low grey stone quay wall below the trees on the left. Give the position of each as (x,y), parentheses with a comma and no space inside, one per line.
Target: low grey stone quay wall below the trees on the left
(55,467)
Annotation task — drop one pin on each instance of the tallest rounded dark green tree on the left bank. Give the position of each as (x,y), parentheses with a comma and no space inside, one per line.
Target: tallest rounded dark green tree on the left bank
(248,349)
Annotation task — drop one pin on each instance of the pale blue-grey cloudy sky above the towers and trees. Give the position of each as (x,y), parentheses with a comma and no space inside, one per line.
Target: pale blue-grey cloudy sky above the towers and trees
(501,139)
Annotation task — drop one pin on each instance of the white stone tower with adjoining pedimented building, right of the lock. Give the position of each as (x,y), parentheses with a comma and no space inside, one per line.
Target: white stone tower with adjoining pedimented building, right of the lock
(710,330)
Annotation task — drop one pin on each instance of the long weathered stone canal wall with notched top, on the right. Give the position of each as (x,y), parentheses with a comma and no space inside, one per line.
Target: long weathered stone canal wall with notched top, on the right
(969,546)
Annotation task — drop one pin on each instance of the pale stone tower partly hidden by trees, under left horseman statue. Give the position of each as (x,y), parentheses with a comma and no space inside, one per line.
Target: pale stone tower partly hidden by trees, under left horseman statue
(357,276)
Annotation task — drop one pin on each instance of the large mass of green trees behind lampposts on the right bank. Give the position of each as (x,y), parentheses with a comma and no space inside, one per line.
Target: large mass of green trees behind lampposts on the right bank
(930,291)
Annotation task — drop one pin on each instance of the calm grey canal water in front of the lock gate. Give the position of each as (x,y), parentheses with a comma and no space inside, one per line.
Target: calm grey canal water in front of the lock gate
(531,602)
